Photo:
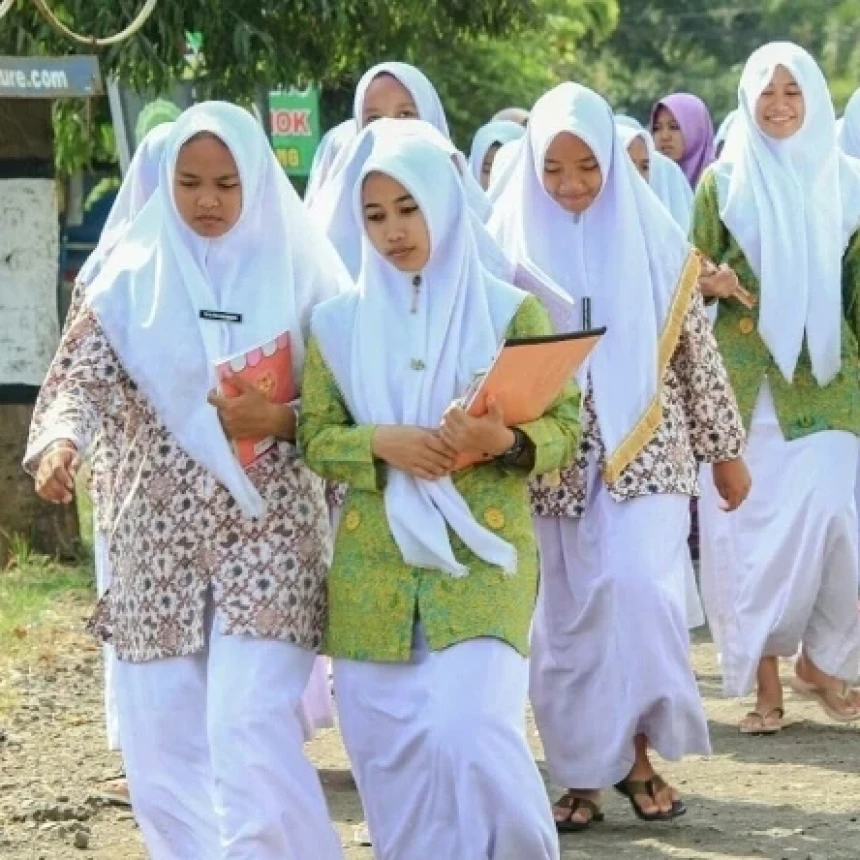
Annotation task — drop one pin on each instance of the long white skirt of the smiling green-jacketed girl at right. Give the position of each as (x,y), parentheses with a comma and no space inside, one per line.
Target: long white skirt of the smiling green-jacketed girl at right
(782,570)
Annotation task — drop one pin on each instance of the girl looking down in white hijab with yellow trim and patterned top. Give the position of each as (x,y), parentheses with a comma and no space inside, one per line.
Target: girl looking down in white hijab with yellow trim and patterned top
(610,671)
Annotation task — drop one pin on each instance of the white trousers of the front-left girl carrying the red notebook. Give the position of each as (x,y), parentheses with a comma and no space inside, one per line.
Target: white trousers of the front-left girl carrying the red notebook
(213,752)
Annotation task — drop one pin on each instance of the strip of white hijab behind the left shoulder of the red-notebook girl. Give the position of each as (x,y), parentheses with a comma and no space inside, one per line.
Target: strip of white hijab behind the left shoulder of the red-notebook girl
(137,187)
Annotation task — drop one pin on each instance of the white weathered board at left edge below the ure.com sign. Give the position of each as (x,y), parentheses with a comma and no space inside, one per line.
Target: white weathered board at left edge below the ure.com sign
(29,267)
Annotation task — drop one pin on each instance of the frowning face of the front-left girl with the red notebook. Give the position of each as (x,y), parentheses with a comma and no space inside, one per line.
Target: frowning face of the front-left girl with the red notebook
(206,186)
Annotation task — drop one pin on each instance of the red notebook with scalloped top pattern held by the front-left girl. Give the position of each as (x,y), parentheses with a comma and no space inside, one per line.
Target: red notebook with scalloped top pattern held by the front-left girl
(268,367)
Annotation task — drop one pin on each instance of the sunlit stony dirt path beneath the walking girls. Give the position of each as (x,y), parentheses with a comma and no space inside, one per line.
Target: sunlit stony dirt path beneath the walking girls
(791,797)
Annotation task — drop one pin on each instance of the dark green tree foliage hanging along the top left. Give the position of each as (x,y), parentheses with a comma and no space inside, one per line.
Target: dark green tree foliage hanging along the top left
(253,43)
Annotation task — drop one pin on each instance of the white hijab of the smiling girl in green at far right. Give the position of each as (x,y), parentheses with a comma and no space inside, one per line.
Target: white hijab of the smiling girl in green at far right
(792,206)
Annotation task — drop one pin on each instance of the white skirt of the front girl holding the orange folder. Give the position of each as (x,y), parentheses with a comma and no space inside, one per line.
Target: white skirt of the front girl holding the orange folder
(439,752)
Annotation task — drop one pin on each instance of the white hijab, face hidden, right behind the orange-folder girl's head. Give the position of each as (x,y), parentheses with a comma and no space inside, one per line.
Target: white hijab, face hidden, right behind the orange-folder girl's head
(333,211)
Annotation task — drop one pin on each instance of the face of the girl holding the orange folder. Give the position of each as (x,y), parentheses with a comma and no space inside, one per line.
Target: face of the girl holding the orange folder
(394,223)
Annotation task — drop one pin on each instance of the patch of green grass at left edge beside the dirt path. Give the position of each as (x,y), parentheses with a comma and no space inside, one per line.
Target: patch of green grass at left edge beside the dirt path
(34,591)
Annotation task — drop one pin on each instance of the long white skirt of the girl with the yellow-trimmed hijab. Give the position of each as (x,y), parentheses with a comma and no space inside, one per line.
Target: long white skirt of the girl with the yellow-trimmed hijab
(610,641)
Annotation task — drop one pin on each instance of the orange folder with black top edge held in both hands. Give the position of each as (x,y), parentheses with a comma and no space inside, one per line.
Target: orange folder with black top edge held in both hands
(527,376)
